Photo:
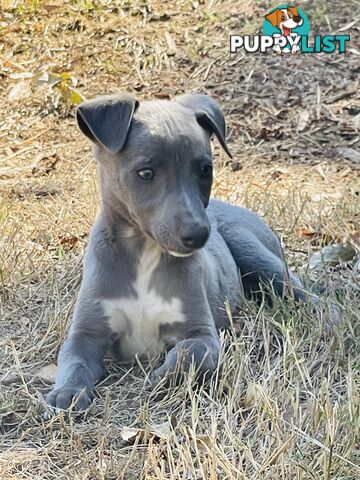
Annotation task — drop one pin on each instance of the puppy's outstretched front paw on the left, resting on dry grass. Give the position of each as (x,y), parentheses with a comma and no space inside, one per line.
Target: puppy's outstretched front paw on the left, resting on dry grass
(68,396)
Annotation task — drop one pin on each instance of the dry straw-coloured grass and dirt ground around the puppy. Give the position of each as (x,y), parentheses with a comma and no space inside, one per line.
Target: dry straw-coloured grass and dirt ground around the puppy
(285,402)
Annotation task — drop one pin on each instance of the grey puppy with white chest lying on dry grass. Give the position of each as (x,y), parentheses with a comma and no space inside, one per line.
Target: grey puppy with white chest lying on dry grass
(162,258)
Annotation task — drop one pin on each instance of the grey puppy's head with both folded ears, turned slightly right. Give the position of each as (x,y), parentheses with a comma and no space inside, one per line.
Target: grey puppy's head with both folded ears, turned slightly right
(156,163)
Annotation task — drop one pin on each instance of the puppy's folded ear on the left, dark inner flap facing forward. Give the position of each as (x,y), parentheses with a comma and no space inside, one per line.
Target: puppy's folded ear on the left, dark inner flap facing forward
(106,120)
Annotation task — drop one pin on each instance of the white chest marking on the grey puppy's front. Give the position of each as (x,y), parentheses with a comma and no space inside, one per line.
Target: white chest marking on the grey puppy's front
(137,318)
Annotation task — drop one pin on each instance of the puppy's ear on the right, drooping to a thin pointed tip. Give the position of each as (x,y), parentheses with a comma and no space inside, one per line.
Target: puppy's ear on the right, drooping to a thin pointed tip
(208,114)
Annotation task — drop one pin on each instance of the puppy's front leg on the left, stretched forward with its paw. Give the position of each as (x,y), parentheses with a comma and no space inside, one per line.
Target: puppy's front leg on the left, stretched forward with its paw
(80,361)
